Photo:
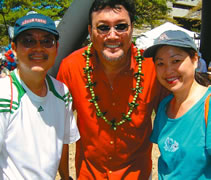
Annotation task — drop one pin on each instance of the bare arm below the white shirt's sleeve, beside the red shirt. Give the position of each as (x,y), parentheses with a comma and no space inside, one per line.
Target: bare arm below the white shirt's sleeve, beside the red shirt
(64,163)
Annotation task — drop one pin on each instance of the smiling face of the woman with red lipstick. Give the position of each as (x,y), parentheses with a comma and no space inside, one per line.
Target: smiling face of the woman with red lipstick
(175,68)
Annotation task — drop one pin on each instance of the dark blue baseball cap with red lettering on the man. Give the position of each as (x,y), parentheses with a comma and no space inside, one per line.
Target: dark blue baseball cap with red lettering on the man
(35,21)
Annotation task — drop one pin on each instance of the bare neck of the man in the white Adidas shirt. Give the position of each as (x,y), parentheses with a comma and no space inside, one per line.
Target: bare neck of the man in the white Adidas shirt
(35,82)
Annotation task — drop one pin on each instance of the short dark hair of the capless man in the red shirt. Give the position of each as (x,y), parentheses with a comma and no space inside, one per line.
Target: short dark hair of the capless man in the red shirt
(129,5)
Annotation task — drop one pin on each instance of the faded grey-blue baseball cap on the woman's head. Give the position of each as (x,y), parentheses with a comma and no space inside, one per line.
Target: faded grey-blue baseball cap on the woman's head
(172,38)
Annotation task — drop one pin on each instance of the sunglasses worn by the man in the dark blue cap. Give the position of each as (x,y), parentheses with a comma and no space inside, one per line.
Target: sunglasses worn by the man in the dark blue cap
(31,42)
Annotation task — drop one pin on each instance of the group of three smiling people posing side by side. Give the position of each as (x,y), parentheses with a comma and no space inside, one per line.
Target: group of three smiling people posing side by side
(114,88)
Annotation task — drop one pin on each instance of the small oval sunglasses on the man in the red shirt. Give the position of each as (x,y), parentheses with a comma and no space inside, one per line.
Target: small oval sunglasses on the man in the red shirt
(120,28)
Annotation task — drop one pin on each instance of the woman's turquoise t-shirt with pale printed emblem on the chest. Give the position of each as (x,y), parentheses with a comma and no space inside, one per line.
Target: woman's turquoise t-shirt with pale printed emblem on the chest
(181,141)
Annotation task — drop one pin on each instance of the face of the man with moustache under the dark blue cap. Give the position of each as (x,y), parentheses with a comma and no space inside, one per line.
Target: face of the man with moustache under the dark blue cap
(39,57)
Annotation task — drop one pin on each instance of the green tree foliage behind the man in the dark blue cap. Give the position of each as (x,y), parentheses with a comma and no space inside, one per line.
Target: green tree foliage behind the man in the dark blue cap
(11,10)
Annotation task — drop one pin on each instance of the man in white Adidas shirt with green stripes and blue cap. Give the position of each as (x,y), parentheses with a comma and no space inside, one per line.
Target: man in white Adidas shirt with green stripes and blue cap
(36,118)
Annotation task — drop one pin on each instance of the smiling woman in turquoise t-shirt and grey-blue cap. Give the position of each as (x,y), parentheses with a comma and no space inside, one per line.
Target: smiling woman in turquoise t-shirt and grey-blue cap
(180,130)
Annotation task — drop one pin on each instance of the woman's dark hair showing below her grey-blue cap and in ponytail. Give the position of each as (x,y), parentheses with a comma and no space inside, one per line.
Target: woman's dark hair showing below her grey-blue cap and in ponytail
(201,78)
